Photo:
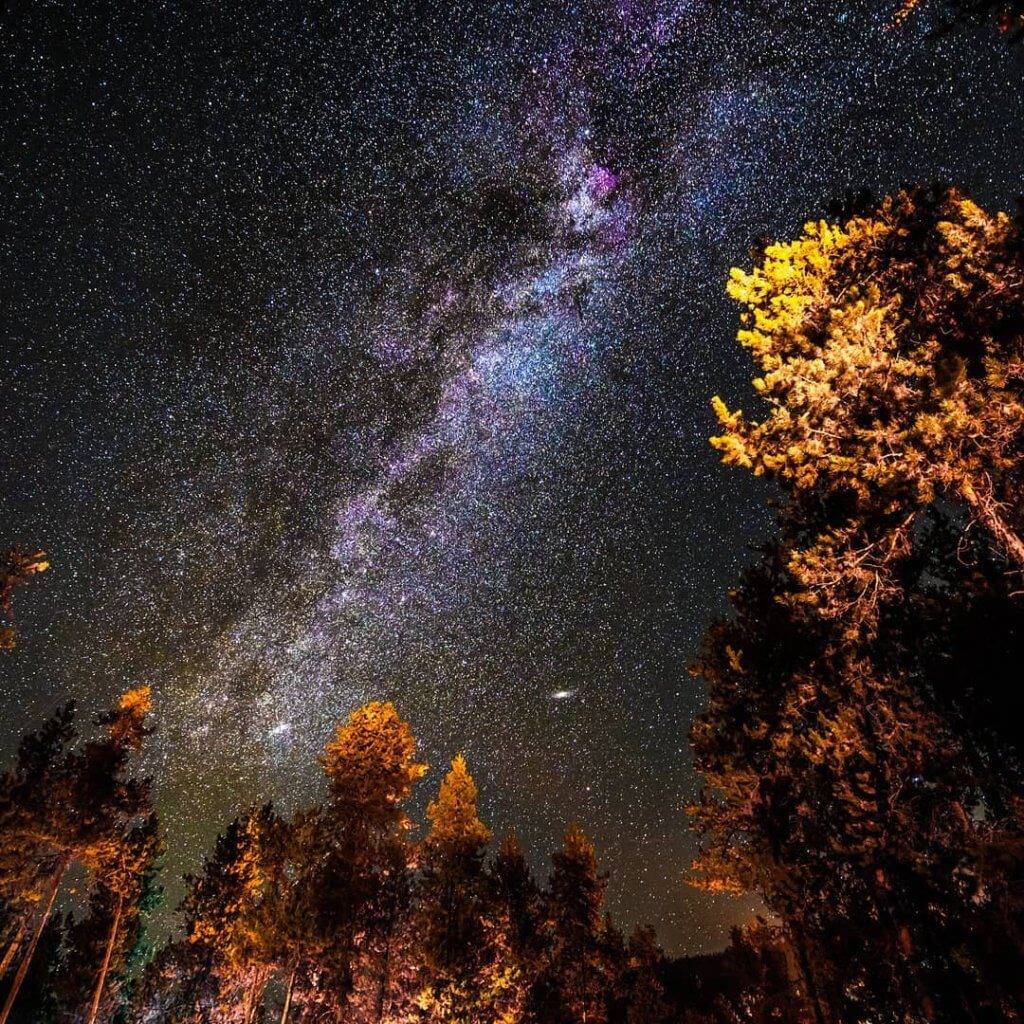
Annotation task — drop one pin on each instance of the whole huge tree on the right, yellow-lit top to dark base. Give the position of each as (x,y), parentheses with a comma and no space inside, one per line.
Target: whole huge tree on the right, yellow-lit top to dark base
(850,738)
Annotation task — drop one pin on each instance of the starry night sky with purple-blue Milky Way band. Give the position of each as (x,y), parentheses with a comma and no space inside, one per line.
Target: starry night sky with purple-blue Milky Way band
(364,351)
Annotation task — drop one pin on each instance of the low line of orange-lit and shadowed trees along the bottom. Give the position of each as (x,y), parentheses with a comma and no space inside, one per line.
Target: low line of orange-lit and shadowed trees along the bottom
(336,914)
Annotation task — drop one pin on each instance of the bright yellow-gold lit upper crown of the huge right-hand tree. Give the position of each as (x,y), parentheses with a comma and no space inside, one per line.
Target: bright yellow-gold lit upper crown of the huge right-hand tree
(891,361)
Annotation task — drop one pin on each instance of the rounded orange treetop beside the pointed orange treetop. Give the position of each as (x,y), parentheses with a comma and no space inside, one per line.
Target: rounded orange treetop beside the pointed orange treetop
(370,761)
